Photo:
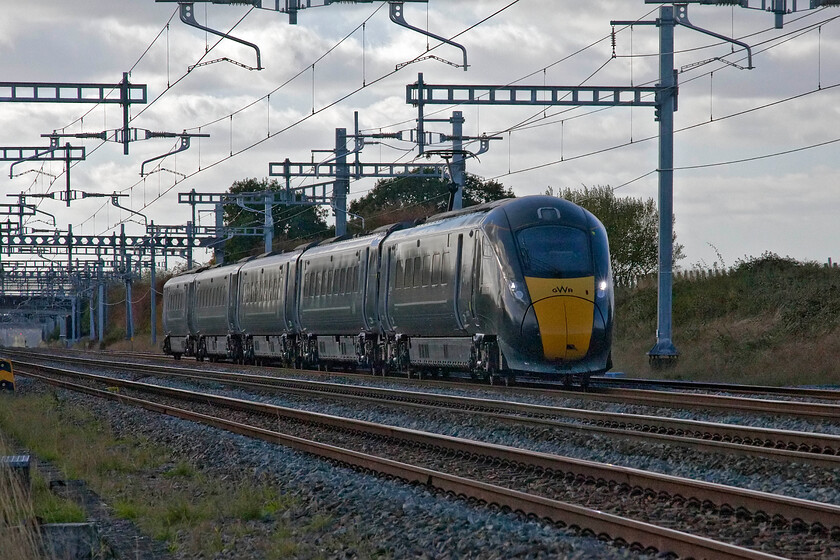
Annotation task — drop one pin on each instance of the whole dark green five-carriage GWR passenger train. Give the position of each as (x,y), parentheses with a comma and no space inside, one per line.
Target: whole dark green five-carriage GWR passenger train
(513,287)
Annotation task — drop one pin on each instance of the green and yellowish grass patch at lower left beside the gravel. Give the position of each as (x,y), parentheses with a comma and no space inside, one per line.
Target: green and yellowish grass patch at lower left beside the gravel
(196,513)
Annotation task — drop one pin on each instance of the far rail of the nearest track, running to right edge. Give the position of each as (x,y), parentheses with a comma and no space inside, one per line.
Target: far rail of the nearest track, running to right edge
(792,509)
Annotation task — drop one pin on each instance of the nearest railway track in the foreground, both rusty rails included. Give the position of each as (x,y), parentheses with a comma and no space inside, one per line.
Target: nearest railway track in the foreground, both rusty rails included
(545,481)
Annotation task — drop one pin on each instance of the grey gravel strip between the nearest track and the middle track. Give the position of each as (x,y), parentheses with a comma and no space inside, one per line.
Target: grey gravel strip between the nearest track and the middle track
(780,477)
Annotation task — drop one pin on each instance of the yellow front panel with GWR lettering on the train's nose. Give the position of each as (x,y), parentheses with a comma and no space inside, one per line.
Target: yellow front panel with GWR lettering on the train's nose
(564,309)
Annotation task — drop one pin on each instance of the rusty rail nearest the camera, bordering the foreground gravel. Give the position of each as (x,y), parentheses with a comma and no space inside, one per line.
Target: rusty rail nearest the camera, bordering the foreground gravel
(635,534)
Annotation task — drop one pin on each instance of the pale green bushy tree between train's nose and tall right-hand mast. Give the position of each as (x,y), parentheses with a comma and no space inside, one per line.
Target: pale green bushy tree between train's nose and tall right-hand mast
(632,226)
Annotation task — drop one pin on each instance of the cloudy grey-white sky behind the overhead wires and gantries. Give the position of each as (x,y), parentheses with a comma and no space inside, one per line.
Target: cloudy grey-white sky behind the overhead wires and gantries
(755,153)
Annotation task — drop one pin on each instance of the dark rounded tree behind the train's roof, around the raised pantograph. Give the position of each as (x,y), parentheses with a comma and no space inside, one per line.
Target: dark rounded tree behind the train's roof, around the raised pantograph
(409,198)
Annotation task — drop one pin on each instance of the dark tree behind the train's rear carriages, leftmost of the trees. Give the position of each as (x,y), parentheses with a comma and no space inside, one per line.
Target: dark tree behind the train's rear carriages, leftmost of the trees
(293,224)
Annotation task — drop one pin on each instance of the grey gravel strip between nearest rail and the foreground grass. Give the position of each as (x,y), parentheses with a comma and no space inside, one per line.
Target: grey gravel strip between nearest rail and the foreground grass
(387,518)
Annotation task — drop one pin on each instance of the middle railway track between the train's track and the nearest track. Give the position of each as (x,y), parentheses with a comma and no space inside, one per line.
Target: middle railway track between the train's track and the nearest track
(784,445)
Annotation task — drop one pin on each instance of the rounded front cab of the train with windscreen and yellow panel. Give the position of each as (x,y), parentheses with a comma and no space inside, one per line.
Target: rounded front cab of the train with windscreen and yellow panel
(567,315)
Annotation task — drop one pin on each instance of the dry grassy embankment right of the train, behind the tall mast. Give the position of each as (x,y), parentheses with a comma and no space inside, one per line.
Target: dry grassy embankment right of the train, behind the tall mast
(771,320)
